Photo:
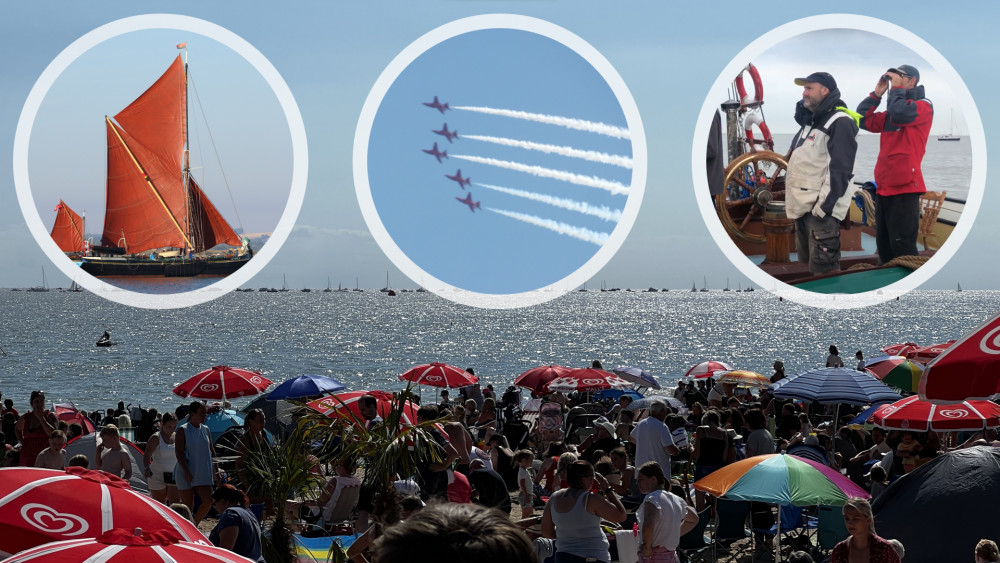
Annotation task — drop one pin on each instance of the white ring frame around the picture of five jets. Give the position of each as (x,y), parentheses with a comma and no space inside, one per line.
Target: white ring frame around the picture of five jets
(476,23)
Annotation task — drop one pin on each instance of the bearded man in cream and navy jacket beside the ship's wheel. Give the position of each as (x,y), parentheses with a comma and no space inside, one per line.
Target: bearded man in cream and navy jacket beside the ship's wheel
(820,166)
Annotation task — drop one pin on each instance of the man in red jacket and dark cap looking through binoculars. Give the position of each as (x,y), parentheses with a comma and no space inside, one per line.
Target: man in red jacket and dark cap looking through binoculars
(904,127)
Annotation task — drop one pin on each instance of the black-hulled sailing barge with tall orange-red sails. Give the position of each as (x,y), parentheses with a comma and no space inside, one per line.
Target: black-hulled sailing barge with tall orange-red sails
(158,221)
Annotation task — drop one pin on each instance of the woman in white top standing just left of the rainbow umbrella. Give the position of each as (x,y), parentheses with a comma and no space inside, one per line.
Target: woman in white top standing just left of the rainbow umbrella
(662,517)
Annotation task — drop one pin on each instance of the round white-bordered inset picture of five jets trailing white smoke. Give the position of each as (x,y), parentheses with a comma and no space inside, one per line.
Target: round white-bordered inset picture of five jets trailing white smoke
(499,161)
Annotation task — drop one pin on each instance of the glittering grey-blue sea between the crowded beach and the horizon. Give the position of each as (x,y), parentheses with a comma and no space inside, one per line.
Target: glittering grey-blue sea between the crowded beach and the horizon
(367,339)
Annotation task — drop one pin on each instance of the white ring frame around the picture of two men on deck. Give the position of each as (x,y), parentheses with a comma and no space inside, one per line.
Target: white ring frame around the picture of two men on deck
(977,138)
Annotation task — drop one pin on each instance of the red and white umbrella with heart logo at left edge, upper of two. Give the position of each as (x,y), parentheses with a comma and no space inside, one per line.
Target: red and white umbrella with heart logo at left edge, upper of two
(42,505)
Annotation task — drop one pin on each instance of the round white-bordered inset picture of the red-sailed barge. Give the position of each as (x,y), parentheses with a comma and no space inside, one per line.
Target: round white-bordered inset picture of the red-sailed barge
(160,161)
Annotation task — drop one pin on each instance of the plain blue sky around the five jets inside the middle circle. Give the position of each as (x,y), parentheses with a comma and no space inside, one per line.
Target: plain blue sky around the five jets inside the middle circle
(484,251)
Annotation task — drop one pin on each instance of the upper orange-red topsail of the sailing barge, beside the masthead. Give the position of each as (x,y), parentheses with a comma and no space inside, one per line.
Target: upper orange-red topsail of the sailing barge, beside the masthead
(156,118)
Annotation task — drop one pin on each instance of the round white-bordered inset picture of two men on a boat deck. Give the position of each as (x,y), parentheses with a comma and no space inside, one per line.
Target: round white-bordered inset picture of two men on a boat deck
(839,161)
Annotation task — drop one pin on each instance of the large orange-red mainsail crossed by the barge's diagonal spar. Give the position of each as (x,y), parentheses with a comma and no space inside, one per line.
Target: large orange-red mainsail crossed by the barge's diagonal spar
(139,216)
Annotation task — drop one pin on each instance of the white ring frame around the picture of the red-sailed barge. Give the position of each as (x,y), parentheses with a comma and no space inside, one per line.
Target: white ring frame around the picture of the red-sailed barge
(300,159)
